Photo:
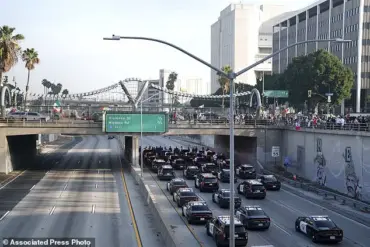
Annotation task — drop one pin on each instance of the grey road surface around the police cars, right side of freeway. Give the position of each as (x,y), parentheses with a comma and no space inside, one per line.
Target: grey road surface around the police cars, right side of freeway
(283,207)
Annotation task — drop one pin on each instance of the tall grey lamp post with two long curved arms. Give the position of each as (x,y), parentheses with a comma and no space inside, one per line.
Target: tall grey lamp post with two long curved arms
(231,76)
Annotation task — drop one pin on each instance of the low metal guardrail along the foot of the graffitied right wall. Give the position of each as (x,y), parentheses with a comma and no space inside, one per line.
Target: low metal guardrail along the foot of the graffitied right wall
(360,205)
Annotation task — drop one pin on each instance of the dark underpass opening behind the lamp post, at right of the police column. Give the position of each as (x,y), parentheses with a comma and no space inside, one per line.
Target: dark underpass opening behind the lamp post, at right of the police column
(245,148)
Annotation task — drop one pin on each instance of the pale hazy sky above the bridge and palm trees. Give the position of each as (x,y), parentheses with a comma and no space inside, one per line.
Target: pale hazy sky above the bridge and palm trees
(68,36)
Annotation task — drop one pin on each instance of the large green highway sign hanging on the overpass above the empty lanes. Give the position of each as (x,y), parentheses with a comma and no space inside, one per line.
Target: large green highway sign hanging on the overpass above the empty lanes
(130,122)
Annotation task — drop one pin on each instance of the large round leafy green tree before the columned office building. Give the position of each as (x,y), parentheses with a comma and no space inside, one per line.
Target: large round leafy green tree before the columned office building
(321,72)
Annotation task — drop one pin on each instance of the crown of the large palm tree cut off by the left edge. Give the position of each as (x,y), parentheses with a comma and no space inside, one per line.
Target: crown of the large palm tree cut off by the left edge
(9,49)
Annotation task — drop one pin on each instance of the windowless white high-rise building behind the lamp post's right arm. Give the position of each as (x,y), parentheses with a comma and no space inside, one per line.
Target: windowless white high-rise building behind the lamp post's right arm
(239,38)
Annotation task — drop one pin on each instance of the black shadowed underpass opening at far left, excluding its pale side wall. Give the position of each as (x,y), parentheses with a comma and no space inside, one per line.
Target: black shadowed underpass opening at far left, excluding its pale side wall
(22,151)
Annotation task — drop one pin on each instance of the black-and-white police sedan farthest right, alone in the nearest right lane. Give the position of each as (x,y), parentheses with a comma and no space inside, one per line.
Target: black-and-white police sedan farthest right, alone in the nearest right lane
(319,228)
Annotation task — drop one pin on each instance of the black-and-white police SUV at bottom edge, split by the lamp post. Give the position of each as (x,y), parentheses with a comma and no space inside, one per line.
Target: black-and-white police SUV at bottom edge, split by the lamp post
(218,229)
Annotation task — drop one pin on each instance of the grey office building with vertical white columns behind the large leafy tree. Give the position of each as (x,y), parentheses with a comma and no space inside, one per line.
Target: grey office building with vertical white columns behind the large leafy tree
(330,19)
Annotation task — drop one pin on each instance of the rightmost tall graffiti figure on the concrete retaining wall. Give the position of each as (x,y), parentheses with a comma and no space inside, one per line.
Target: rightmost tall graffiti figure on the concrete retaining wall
(352,181)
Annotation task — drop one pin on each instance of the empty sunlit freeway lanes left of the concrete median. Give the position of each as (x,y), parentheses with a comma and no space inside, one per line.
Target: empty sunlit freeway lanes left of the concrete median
(81,193)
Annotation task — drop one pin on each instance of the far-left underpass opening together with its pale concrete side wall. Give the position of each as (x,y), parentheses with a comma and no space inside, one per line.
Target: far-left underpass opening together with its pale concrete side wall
(17,152)
